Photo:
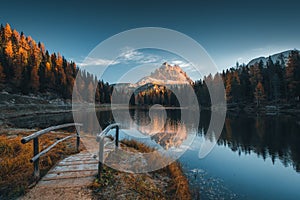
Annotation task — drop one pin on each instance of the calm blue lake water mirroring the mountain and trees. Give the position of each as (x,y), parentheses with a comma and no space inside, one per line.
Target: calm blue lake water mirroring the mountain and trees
(256,157)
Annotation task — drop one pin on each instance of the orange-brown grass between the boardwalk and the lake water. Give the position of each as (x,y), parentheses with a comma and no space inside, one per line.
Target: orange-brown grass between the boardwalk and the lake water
(166,183)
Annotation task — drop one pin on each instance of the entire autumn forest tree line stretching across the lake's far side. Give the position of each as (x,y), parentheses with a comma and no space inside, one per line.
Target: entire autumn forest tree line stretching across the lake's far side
(27,67)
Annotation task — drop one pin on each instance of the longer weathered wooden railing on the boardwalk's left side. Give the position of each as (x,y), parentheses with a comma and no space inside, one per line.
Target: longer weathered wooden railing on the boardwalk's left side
(35,138)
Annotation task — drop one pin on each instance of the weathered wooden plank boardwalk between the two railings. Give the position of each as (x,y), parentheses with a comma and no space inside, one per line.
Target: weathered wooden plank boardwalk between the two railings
(69,179)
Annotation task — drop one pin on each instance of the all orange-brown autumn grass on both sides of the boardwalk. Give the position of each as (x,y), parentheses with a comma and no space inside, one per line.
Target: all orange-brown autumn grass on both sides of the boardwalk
(16,171)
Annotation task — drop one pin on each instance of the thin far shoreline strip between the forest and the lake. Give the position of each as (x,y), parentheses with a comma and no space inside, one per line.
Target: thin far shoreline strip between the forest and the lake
(22,110)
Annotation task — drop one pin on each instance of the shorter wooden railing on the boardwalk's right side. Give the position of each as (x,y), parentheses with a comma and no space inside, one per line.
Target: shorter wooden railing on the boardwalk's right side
(100,138)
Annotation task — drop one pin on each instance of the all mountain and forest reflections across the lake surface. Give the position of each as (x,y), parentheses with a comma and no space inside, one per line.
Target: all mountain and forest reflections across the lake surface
(274,137)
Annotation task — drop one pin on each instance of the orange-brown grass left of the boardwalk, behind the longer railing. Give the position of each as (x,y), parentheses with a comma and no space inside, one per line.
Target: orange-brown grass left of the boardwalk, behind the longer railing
(16,170)
